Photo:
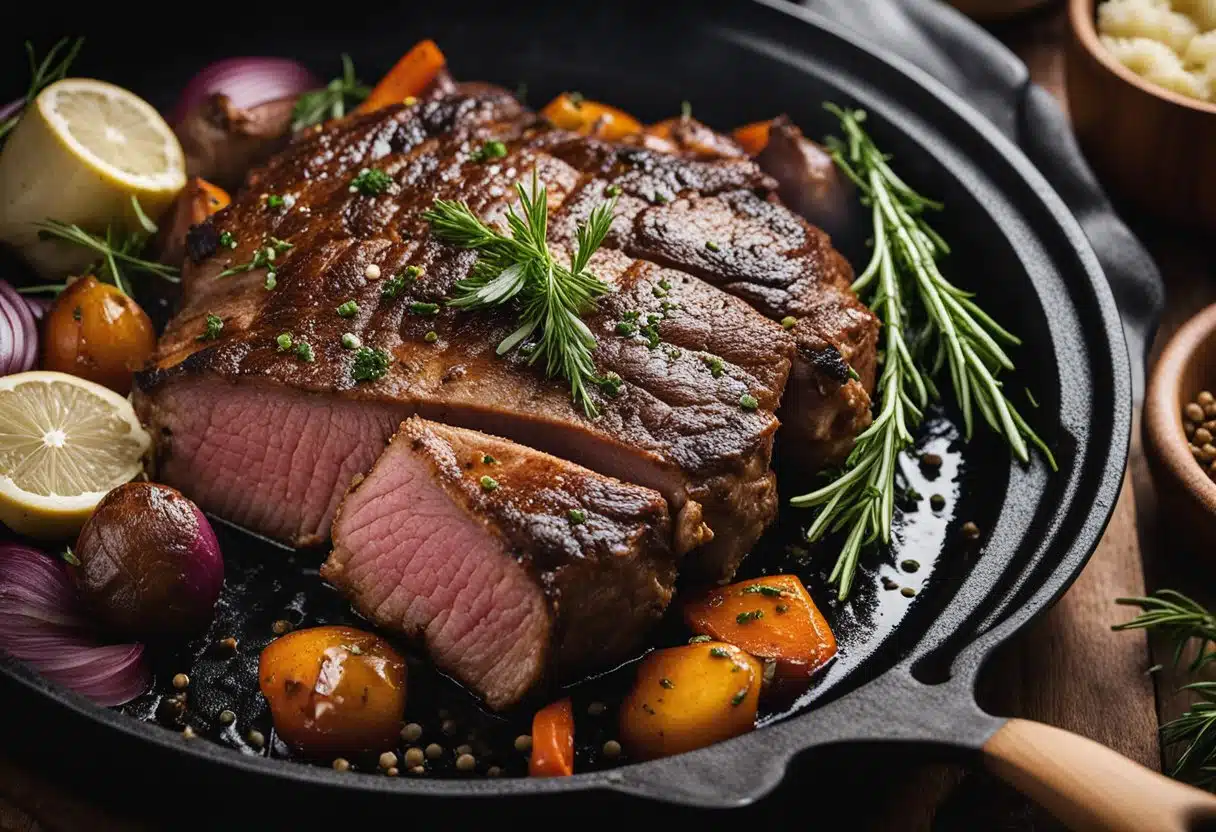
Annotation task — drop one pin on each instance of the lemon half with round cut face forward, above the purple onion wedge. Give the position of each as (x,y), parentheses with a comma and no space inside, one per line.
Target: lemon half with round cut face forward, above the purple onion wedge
(65,442)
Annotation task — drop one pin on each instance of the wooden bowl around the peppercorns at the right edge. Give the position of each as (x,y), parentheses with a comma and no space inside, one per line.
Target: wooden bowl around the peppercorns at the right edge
(1186,497)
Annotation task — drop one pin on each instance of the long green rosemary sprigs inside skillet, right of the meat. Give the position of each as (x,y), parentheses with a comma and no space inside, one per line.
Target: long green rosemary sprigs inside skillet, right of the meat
(904,286)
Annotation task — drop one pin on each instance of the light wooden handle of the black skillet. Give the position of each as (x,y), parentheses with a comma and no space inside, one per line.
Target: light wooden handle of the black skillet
(1093,788)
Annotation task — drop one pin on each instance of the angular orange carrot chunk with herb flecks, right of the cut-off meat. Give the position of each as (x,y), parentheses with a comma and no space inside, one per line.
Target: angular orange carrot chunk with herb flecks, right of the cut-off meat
(773,619)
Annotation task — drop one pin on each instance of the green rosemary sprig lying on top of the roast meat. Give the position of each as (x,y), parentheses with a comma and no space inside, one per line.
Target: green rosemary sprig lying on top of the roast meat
(551,299)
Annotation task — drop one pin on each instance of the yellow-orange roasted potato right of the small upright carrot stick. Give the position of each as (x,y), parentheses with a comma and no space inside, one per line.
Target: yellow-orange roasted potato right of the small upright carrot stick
(690,698)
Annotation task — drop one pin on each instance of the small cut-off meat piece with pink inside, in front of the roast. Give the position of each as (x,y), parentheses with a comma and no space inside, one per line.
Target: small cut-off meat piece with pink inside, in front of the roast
(500,584)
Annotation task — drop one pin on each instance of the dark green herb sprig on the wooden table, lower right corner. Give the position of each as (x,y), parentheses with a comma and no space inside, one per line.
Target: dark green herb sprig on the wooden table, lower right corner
(1183,621)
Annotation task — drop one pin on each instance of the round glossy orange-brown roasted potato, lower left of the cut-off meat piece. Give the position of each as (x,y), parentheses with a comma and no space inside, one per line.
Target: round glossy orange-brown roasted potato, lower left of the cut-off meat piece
(335,692)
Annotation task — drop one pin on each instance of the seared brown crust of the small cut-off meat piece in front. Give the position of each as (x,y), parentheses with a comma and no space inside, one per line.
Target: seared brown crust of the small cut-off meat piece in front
(606,580)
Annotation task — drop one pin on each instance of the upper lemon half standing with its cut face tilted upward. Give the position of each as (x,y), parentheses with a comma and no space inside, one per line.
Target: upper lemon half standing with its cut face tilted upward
(78,155)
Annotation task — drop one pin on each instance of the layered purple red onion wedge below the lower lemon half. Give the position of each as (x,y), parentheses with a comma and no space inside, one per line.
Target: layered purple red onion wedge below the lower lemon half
(43,626)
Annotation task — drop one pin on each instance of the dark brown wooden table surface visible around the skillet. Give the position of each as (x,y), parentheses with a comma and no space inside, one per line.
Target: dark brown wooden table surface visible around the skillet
(1069,670)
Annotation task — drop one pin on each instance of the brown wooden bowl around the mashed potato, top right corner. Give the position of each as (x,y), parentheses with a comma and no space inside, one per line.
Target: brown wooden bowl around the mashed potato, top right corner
(1151,148)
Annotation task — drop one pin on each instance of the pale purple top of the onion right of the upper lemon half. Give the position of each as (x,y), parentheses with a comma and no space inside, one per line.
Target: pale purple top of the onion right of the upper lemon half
(247,82)
